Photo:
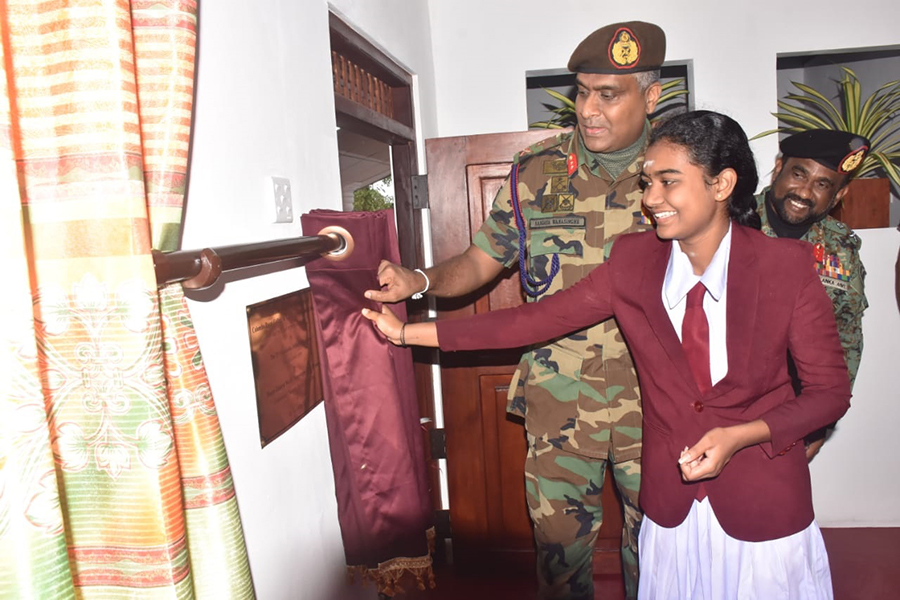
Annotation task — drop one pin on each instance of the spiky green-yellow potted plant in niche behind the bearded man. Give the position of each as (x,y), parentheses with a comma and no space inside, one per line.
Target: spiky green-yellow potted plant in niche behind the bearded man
(875,118)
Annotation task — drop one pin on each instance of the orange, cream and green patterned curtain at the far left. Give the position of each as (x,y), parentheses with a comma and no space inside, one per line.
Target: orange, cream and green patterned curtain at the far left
(114,480)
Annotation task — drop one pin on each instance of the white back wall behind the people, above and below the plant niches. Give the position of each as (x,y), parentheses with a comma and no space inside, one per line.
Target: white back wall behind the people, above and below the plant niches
(483,49)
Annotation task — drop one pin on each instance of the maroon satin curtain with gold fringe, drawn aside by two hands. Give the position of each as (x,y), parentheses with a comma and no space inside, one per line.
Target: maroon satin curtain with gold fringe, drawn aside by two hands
(377,450)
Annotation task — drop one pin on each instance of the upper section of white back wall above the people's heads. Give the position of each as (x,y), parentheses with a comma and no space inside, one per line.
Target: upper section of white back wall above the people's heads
(482,50)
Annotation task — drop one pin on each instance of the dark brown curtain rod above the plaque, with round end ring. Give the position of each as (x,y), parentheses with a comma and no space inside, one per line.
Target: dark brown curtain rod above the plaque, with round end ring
(199,269)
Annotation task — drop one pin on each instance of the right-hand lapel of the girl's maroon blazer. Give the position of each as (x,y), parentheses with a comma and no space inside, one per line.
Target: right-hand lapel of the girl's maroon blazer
(742,309)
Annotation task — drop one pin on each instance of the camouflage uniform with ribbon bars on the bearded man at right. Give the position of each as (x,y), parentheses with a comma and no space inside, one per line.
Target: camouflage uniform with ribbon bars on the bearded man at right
(836,248)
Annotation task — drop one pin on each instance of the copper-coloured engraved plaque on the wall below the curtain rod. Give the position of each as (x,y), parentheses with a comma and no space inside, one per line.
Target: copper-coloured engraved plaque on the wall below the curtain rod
(285,357)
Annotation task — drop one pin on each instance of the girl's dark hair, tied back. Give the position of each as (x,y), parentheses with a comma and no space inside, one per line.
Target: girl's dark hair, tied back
(714,143)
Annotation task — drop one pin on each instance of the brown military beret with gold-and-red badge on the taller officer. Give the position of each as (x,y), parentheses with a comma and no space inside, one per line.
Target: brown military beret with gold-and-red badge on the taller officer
(620,48)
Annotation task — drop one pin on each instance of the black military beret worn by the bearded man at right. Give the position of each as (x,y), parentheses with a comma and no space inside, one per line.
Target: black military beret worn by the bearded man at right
(838,150)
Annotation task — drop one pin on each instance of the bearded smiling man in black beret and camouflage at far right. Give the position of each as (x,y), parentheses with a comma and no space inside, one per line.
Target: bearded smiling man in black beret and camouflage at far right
(809,179)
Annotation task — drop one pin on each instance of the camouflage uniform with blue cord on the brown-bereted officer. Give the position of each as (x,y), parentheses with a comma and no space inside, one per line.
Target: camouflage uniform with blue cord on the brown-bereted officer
(579,395)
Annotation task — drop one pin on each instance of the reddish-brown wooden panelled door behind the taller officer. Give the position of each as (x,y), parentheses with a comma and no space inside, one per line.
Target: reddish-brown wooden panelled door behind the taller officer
(486,448)
